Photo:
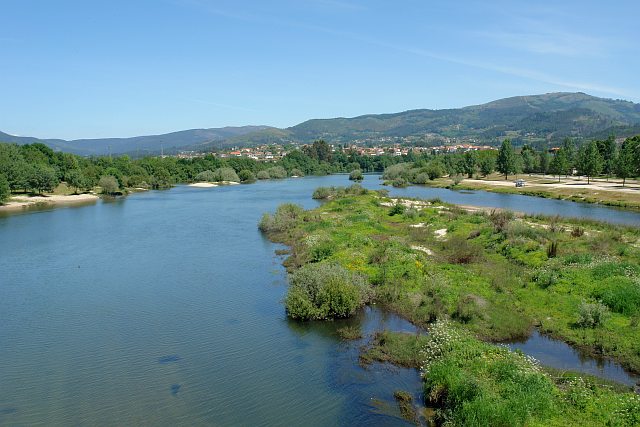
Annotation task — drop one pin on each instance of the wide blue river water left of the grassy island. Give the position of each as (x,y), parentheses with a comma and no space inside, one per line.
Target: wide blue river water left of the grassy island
(164,308)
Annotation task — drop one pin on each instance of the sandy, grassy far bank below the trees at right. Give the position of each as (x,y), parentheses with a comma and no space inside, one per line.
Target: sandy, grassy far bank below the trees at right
(572,189)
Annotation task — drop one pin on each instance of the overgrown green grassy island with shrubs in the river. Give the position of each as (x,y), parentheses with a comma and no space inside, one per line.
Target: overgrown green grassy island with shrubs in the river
(474,278)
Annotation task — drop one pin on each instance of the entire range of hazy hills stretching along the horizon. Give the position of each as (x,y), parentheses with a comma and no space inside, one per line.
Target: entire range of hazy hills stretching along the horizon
(536,118)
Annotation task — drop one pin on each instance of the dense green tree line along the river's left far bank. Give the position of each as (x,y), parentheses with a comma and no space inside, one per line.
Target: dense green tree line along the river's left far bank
(37,169)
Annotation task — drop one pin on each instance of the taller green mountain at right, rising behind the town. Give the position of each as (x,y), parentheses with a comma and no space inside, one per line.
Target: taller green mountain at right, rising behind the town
(549,116)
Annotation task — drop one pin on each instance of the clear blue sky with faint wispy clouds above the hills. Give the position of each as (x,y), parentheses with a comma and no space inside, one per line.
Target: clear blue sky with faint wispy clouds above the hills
(75,69)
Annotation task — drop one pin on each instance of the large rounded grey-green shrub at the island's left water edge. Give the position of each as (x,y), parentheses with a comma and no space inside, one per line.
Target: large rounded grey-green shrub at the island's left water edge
(324,291)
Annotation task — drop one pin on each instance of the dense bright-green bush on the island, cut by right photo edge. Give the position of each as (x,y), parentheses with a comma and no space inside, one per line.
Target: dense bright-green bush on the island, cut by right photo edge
(620,294)
